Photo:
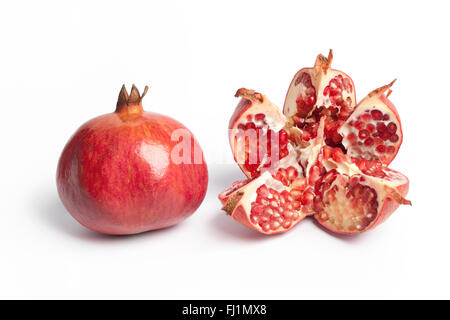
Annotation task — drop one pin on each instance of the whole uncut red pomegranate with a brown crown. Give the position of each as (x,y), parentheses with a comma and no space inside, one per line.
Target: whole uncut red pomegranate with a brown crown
(128,171)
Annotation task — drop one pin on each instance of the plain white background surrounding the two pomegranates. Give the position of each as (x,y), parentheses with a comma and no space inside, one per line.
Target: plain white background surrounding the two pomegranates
(62,63)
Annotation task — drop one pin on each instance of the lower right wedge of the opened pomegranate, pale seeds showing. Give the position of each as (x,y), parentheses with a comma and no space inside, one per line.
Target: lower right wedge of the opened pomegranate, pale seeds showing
(353,201)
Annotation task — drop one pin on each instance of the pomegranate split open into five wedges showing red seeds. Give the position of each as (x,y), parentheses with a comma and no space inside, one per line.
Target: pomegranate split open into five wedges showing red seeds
(324,156)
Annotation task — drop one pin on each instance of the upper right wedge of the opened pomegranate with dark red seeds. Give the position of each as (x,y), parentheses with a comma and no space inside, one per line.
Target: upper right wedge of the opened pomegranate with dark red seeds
(372,131)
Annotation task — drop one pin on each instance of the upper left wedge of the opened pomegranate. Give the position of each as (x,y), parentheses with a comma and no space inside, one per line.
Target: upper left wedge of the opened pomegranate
(250,133)
